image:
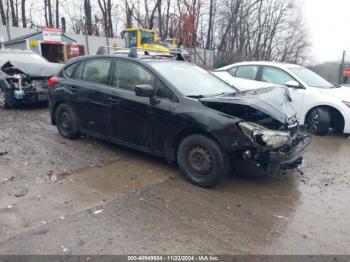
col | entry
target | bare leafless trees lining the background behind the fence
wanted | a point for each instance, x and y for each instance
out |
(238, 29)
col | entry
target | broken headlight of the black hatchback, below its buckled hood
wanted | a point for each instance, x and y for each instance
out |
(265, 137)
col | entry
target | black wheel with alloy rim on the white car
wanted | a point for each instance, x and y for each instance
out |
(318, 121)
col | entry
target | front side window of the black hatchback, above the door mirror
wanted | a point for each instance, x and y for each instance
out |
(127, 75)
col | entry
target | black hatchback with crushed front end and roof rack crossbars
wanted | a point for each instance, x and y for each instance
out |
(177, 111)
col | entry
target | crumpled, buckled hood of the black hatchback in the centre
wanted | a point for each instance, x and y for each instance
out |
(272, 101)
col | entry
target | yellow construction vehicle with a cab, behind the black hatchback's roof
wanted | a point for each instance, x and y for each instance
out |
(141, 38)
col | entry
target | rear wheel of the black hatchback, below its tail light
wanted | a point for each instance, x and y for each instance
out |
(66, 122)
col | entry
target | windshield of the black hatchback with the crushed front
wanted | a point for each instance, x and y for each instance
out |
(192, 80)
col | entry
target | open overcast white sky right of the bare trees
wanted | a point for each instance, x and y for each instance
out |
(329, 25)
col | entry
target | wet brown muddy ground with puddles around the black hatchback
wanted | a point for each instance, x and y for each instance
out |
(91, 197)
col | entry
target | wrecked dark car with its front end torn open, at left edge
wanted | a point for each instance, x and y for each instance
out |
(24, 77)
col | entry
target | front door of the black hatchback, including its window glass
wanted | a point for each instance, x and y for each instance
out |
(136, 120)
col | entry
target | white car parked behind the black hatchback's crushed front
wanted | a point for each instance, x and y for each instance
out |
(320, 105)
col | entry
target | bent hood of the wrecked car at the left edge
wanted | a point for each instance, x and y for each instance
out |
(32, 69)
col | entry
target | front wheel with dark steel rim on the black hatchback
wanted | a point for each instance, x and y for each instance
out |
(201, 161)
